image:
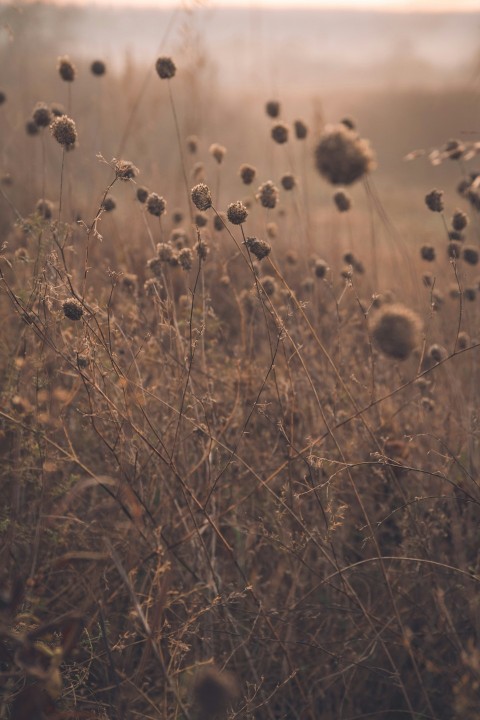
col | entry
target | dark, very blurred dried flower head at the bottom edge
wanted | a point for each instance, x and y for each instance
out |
(213, 692)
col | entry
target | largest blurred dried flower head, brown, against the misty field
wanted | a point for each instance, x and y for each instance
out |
(342, 157)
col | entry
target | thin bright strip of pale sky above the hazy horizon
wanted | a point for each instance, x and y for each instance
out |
(405, 5)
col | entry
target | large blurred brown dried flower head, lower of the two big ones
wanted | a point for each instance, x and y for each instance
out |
(396, 330)
